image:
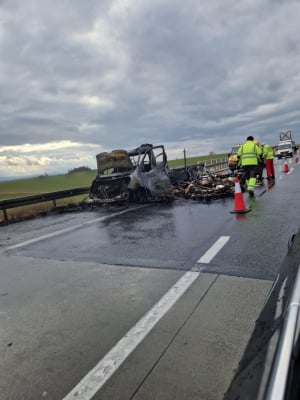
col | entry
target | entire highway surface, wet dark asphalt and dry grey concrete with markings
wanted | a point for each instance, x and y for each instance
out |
(147, 302)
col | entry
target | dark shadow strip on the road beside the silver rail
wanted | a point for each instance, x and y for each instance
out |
(251, 379)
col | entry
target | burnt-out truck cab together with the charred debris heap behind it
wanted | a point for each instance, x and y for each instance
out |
(142, 175)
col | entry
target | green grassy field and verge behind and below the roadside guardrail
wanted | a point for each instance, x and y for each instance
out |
(77, 178)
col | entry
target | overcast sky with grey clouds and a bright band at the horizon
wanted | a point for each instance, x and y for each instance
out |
(79, 77)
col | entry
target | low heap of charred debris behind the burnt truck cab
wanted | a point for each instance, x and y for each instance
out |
(205, 187)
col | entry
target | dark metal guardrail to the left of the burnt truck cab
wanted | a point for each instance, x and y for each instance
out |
(39, 198)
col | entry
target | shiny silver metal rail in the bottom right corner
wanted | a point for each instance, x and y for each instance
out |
(287, 348)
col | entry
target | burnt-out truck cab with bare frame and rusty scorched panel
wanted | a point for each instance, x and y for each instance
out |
(138, 175)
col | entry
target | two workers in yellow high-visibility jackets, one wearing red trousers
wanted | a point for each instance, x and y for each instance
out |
(253, 158)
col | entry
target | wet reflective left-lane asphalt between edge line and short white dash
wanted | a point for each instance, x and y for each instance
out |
(170, 236)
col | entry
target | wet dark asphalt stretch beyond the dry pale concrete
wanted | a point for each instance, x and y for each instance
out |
(175, 236)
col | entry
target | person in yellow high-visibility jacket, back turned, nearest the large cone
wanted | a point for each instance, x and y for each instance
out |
(249, 154)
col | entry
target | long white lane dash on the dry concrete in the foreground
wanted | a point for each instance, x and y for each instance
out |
(96, 378)
